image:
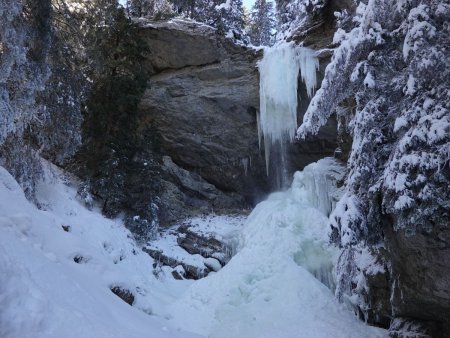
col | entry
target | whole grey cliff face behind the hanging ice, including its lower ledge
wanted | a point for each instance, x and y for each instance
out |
(202, 100)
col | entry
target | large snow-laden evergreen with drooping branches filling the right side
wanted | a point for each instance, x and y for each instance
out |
(388, 85)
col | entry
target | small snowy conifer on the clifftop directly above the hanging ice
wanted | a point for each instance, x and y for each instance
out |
(262, 23)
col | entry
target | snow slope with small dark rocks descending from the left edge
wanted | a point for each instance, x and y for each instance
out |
(44, 293)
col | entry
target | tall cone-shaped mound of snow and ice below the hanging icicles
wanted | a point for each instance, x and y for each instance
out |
(268, 289)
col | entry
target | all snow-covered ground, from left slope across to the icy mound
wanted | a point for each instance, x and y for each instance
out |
(266, 290)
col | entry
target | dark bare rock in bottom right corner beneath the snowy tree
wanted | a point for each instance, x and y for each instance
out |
(420, 280)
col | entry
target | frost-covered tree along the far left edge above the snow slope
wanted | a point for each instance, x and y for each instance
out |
(24, 43)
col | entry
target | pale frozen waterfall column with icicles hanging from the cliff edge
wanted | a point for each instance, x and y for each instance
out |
(279, 70)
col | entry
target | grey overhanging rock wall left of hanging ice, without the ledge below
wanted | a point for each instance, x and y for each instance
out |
(202, 100)
